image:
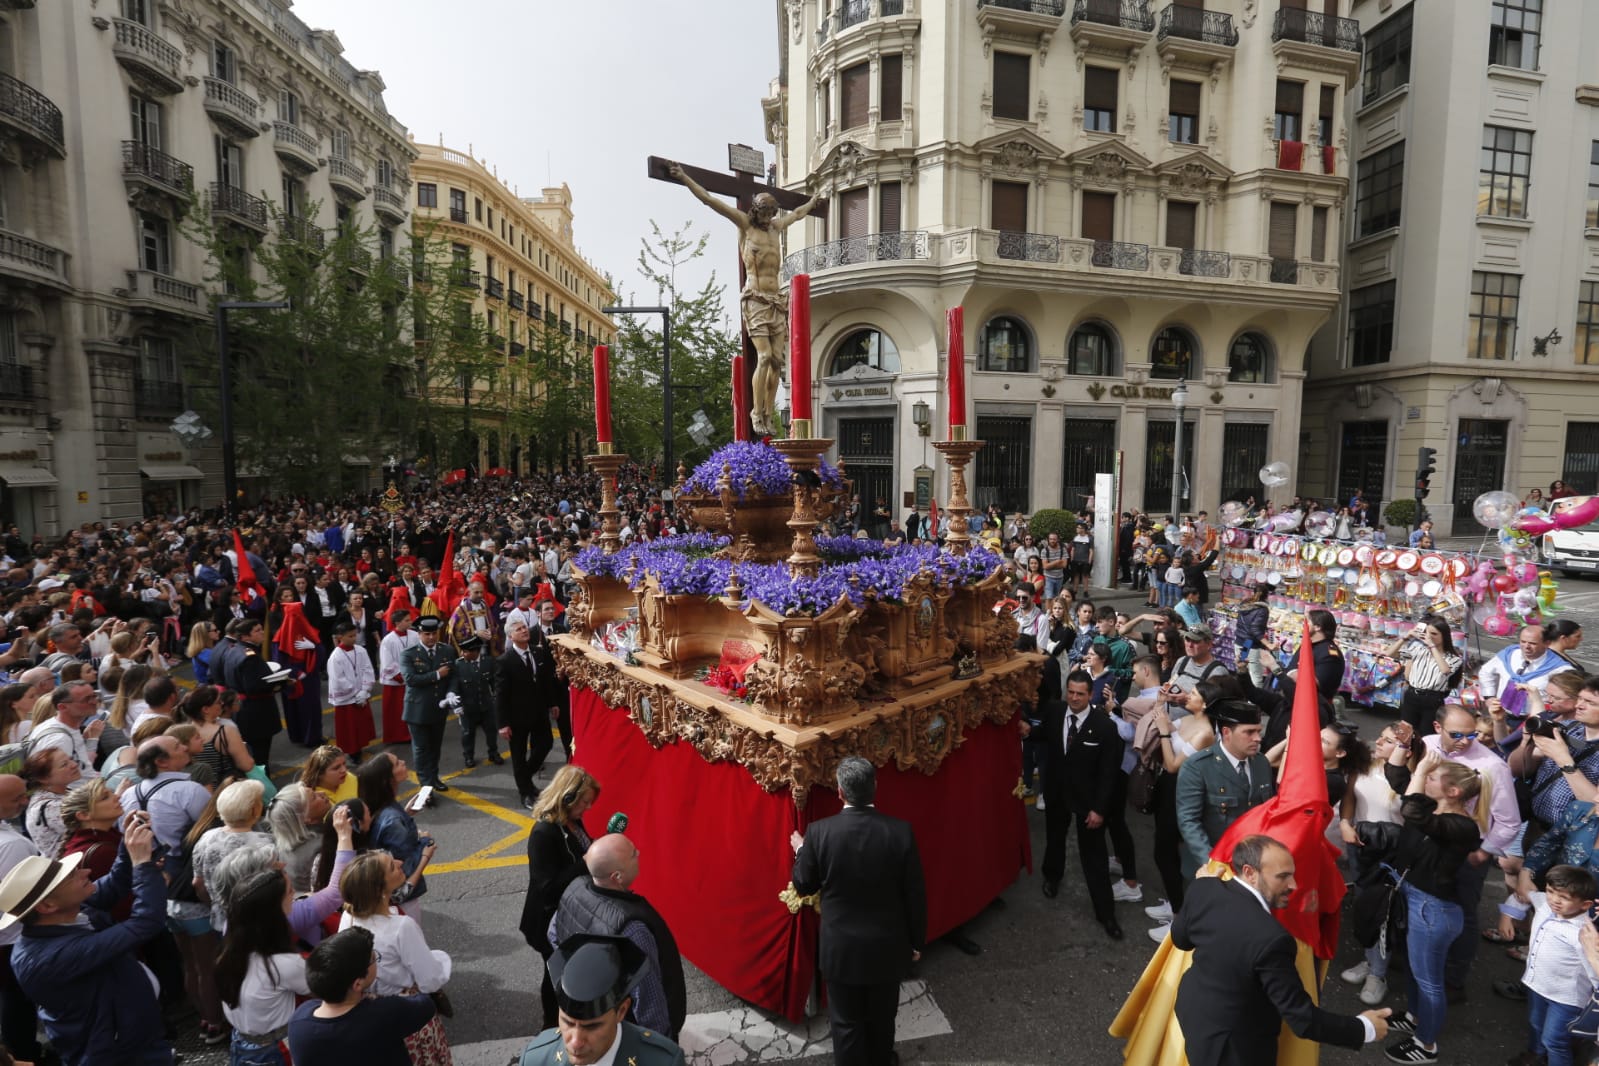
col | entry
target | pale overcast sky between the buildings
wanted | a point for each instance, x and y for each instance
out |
(580, 92)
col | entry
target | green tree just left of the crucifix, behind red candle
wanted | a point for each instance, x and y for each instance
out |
(703, 349)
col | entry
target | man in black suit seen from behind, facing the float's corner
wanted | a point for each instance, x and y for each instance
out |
(874, 915)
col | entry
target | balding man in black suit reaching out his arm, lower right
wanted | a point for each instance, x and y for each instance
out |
(1243, 985)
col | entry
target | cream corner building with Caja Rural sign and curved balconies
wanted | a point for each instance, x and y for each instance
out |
(1120, 196)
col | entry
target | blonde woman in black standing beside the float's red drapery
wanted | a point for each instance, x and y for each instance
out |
(556, 857)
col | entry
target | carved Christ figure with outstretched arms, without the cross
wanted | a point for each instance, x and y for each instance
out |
(762, 303)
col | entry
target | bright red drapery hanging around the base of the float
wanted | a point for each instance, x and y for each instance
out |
(716, 856)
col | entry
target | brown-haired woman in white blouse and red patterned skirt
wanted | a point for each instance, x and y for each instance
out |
(405, 965)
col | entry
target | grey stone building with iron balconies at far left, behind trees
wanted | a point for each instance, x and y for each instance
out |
(119, 122)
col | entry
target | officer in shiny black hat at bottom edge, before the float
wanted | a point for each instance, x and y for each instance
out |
(592, 977)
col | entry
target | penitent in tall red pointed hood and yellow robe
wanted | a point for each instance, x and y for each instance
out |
(1298, 817)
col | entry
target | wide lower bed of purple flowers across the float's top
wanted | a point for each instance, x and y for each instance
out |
(859, 570)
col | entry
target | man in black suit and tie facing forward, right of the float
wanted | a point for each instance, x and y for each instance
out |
(1082, 770)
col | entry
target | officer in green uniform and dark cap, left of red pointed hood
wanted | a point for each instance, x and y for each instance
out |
(1214, 787)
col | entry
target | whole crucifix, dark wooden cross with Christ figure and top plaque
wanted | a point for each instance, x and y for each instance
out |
(760, 212)
